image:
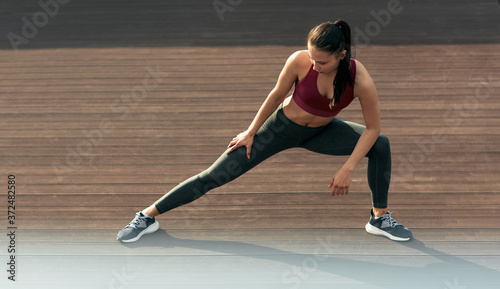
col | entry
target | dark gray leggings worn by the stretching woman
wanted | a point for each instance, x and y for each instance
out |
(279, 133)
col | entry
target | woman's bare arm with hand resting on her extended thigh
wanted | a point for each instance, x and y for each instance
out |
(286, 79)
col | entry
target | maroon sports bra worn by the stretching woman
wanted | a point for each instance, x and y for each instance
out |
(307, 96)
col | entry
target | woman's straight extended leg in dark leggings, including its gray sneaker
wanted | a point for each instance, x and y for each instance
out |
(275, 135)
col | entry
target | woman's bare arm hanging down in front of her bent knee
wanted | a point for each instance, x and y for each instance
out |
(366, 91)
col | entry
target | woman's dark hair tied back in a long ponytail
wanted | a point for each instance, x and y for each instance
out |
(335, 37)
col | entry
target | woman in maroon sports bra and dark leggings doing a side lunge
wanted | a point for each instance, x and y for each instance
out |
(307, 119)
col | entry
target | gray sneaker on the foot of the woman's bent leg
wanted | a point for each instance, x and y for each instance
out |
(388, 227)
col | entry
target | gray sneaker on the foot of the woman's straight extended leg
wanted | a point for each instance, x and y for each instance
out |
(140, 225)
